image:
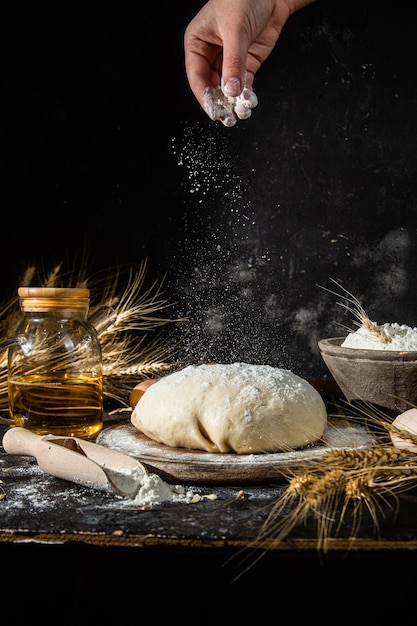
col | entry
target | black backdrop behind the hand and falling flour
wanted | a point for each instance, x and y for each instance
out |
(106, 156)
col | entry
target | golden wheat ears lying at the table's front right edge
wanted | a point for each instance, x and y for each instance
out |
(333, 493)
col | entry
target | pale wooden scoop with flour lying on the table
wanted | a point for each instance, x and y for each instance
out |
(78, 461)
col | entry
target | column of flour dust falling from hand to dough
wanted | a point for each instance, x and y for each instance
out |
(220, 273)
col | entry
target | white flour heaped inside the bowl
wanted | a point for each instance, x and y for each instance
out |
(398, 337)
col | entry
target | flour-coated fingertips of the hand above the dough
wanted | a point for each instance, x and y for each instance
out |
(226, 109)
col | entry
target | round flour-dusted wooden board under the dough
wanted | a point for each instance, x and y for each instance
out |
(182, 465)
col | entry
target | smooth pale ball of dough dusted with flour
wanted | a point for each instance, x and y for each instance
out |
(236, 407)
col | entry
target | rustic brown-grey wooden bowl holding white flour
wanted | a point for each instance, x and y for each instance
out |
(385, 378)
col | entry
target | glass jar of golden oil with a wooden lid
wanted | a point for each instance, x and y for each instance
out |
(55, 377)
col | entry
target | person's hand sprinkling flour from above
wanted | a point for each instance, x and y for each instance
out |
(225, 44)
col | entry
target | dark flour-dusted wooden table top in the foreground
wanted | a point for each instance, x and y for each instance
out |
(43, 508)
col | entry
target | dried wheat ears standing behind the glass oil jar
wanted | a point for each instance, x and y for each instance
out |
(131, 348)
